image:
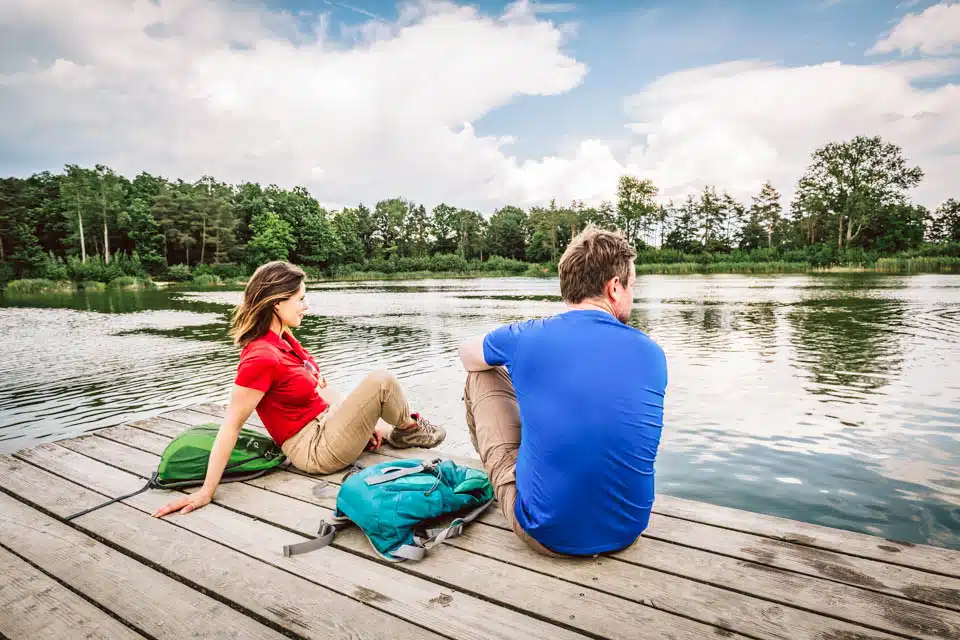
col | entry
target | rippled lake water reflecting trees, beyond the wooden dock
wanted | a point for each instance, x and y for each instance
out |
(833, 399)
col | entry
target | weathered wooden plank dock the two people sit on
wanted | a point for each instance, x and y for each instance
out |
(700, 571)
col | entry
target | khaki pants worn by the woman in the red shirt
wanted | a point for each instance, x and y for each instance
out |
(335, 439)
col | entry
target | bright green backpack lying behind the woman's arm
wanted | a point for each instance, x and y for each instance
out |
(184, 462)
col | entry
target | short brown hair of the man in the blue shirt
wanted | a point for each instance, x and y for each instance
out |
(592, 259)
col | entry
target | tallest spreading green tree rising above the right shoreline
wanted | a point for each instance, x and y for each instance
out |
(848, 183)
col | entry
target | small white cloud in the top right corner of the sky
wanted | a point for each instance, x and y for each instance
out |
(936, 31)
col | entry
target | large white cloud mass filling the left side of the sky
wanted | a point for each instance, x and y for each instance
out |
(186, 87)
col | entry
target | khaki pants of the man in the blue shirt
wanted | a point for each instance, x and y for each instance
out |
(493, 417)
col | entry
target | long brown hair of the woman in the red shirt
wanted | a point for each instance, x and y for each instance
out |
(270, 283)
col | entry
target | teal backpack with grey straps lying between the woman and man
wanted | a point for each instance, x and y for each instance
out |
(400, 504)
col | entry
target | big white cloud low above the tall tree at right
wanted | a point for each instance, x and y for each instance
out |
(738, 124)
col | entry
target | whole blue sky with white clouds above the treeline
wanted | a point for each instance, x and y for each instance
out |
(479, 104)
